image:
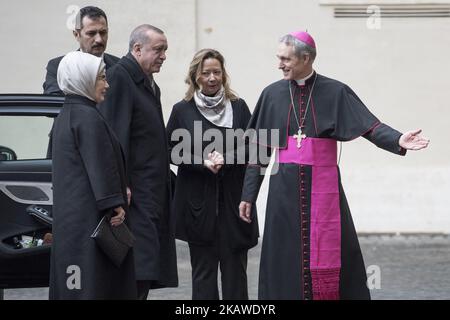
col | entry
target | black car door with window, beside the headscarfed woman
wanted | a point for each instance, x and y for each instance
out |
(25, 189)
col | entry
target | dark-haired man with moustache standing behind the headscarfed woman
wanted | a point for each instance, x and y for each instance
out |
(91, 32)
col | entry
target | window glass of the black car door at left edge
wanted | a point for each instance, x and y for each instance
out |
(24, 137)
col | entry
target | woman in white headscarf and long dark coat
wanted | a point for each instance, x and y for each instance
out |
(88, 183)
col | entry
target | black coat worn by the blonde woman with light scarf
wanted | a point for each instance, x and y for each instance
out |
(205, 202)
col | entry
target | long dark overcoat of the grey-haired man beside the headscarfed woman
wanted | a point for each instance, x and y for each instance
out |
(134, 112)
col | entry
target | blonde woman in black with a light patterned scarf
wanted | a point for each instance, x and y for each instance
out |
(208, 188)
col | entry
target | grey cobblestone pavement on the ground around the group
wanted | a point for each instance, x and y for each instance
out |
(409, 267)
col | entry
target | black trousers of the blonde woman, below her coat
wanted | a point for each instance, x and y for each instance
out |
(205, 262)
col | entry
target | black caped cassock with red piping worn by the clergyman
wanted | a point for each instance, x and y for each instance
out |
(335, 113)
